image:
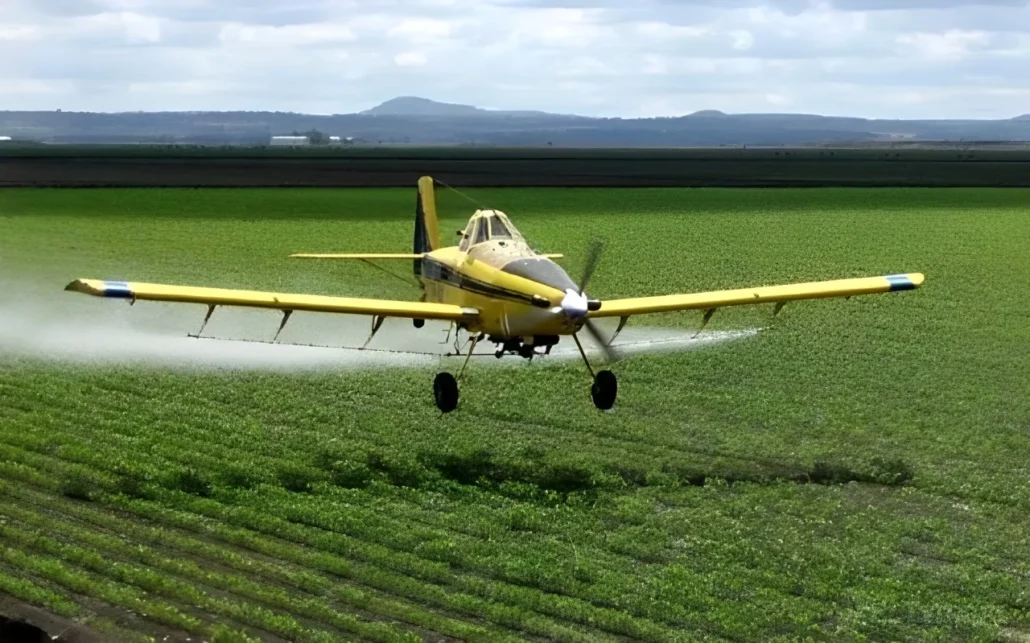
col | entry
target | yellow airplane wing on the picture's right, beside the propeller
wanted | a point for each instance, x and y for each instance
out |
(761, 295)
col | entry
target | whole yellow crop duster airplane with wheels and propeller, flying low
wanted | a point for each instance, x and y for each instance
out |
(495, 287)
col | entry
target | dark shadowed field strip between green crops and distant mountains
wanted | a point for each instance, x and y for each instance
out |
(350, 167)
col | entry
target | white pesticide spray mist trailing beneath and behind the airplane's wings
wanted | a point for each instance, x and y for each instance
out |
(71, 328)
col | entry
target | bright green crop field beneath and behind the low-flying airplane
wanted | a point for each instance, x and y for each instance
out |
(857, 470)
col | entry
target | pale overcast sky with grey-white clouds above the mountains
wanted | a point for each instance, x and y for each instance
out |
(630, 58)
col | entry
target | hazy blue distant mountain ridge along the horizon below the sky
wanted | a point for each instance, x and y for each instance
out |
(411, 120)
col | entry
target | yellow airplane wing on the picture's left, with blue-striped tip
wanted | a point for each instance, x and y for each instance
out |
(279, 301)
